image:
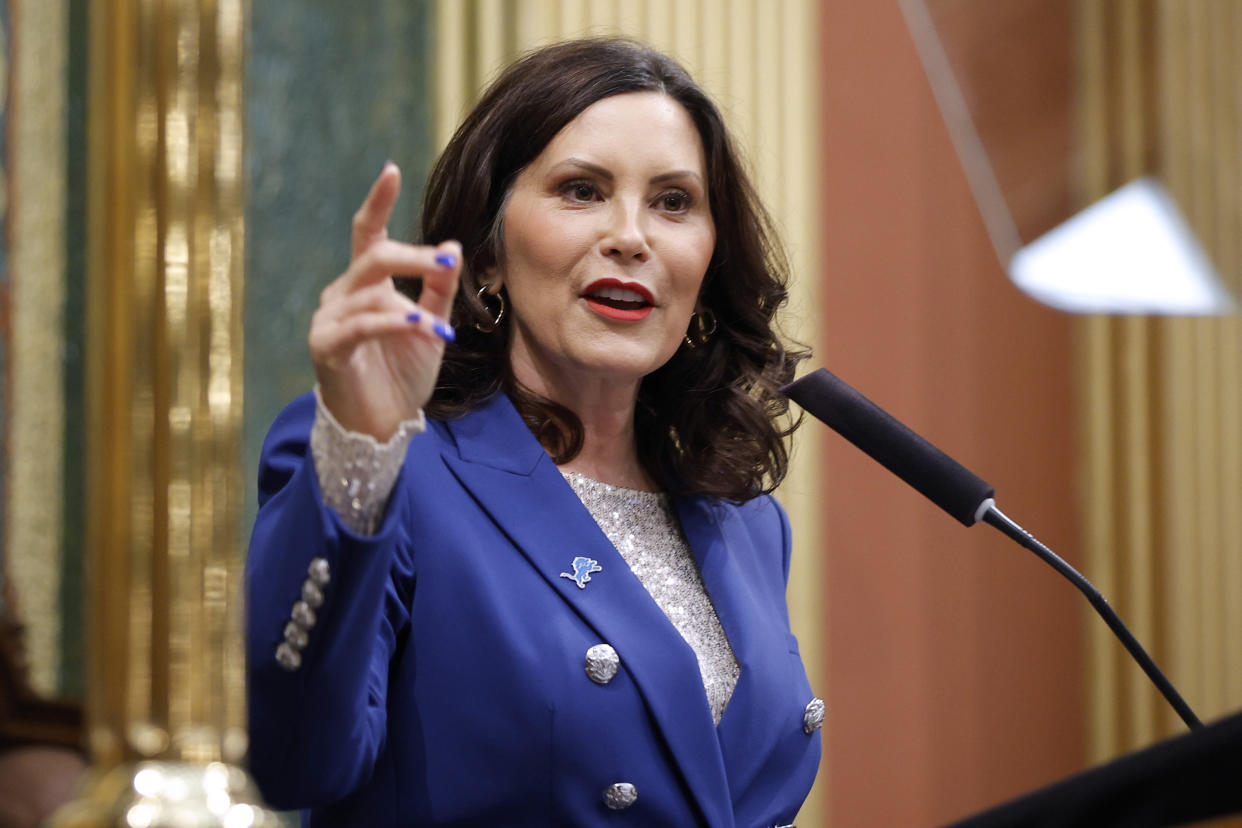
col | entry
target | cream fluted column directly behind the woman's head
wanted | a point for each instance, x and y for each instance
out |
(759, 63)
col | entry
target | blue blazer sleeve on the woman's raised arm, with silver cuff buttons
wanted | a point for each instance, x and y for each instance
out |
(317, 731)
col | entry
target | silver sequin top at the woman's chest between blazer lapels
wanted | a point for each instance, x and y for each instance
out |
(646, 532)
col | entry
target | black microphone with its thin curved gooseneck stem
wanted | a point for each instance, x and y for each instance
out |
(956, 490)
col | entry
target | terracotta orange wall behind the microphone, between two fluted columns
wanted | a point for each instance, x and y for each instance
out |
(956, 659)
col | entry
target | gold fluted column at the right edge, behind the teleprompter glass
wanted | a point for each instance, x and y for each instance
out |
(1162, 94)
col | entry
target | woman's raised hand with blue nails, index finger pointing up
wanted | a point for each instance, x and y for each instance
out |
(377, 353)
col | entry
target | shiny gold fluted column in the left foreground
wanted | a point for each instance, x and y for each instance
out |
(165, 696)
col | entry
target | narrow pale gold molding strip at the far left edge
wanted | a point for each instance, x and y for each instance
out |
(35, 397)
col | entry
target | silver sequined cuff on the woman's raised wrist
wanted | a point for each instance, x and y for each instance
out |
(356, 471)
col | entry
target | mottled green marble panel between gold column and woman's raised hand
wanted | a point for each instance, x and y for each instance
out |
(333, 90)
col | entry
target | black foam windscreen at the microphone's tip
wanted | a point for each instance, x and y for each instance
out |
(946, 482)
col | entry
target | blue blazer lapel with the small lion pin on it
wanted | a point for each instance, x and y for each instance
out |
(511, 476)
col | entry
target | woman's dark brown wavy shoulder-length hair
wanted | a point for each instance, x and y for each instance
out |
(711, 420)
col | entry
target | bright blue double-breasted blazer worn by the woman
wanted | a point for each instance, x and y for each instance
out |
(444, 682)
